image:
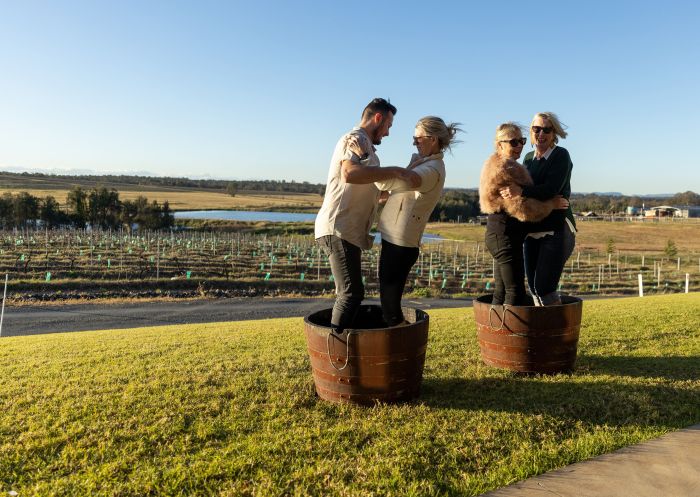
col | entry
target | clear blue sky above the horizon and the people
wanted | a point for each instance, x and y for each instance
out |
(263, 90)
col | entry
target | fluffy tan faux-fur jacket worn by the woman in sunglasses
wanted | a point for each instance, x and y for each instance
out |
(499, 173)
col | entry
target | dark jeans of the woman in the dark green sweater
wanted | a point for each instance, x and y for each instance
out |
(544, 262)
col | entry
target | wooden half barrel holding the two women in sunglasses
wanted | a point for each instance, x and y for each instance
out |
(529, 339)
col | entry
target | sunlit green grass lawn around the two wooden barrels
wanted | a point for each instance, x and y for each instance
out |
(230, 409)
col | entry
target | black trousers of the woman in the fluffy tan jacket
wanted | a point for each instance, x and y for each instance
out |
(509, 270)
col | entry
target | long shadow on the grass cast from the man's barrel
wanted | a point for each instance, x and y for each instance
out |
(601, 401)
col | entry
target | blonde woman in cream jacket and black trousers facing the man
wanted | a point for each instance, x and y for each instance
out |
(407, 210)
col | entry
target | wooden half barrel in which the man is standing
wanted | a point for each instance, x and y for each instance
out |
(369, 363)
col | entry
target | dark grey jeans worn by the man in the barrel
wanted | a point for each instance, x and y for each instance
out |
(346, 266)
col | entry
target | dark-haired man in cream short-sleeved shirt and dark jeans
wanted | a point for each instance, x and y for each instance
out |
(346, 216)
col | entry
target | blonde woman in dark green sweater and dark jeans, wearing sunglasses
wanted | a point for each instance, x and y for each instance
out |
(548, 243)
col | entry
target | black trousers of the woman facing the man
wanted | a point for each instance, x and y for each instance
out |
(395, 262)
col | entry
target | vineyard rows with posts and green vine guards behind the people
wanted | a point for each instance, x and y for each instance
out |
(57, 264)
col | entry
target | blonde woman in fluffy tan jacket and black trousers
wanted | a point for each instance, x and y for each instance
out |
(505, 228)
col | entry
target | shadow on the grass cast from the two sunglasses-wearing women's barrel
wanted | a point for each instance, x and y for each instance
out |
(670, 368)
